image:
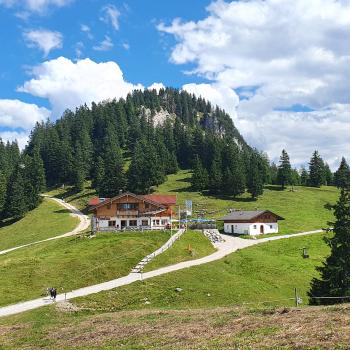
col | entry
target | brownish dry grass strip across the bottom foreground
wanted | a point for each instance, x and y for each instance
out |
(215, 329)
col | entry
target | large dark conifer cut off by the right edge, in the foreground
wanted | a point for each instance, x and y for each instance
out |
(335, 272)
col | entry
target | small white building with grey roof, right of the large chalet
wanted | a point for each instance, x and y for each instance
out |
(251, 222)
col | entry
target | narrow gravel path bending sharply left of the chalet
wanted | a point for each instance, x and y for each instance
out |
(84, 223)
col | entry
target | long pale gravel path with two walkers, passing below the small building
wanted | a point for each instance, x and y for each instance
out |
(230, 245)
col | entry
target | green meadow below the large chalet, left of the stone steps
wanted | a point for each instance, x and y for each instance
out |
(73, 262)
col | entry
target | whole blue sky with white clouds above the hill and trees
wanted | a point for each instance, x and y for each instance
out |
(281, 69)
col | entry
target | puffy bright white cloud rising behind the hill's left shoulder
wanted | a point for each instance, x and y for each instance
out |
(68, 84)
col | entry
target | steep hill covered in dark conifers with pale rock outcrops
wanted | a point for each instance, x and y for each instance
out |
(133, 144)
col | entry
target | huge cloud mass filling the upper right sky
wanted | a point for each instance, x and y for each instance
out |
(275, 55)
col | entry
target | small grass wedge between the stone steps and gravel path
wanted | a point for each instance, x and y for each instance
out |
(191, 245)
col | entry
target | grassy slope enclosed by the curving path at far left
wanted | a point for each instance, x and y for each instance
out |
(48, 220)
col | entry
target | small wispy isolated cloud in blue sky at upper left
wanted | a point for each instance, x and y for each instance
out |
(45, 40)
